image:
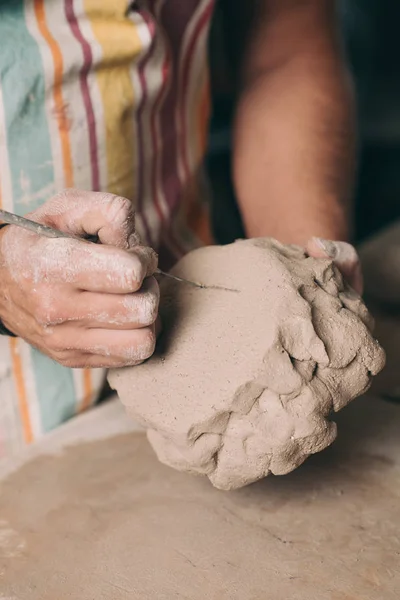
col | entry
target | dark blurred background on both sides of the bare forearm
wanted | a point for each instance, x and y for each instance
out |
(370, 29)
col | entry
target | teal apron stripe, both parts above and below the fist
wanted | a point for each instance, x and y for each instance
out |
(31, 166)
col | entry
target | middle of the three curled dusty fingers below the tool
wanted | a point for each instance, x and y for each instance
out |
(112, 311)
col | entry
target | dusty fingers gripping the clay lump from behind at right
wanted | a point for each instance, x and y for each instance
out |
(344, 256)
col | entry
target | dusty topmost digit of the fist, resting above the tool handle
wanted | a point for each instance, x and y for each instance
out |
(81, 213)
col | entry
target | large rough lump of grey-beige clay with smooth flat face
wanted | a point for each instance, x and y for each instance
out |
(244, 382)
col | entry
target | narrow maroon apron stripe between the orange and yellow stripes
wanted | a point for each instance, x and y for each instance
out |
(83, 80)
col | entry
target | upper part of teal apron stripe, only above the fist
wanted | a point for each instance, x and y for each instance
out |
(22, 83)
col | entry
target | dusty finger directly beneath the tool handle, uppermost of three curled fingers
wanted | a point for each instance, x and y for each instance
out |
(90, 267)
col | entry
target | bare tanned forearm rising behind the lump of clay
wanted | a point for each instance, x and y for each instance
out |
(294, 150)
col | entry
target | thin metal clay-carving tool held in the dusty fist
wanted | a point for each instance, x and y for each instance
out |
(46, 231)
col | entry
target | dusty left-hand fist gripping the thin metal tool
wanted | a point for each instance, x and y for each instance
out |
(81, 304)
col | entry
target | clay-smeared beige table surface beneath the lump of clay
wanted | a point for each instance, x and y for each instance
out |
(90, 514)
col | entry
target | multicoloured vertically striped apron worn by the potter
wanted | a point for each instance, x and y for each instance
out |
(103, 95)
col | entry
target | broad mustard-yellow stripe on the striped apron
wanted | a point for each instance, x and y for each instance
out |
(120, 44)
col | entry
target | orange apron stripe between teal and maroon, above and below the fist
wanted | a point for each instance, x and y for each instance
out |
(63, 130)
